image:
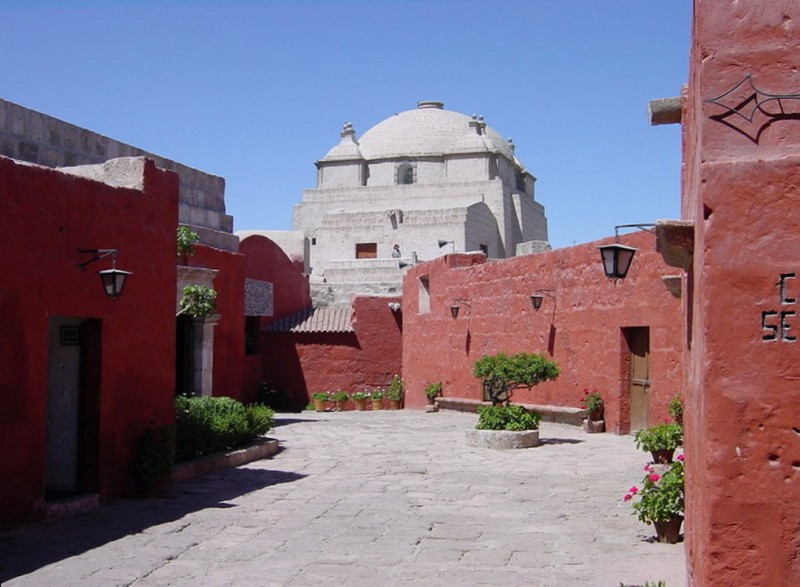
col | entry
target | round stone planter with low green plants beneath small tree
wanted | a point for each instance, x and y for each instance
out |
(508, 426)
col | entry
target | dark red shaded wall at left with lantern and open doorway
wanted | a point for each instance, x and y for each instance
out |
(46, 216)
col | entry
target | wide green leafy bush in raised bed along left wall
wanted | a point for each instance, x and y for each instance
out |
(205, 425)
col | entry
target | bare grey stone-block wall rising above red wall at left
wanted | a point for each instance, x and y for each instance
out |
(35, 137)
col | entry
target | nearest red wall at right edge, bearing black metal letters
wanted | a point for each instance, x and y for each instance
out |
(741, 181)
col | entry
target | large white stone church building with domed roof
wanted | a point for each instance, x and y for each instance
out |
(422, 183)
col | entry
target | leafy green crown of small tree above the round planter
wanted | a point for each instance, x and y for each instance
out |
(502, 374)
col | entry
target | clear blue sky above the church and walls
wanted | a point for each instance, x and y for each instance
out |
(256, 91)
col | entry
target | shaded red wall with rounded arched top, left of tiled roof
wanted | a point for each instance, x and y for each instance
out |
(266, 261)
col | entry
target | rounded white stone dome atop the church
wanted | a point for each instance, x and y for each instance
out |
(430, 130)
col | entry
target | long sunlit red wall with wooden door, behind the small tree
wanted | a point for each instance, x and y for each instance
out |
(581, 329)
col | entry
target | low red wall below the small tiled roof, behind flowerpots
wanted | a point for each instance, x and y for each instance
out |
(364, 359)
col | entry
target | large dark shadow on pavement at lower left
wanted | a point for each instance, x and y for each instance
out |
(25, 549)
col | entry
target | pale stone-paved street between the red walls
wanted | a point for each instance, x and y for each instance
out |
(370, 498)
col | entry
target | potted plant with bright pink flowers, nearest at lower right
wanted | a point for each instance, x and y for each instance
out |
(660, 501)
